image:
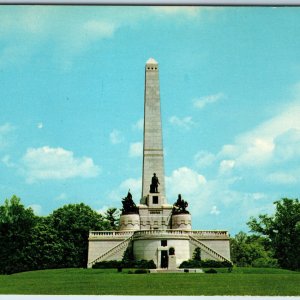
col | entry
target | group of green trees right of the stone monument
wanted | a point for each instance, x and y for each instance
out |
(274, 240)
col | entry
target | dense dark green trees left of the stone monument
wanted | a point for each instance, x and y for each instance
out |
(28, 242)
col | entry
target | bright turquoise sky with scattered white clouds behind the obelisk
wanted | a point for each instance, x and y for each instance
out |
(71, 95)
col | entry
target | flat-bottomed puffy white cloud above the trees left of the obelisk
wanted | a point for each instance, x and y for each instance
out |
(56, 163)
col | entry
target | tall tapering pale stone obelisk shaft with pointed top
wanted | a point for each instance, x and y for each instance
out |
(153, 155)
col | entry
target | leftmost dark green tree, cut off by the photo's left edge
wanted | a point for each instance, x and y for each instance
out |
(16, 225)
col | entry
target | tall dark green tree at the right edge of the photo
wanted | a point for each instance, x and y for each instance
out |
(283, 232)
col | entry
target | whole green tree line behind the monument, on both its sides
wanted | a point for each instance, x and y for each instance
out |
(60, 240)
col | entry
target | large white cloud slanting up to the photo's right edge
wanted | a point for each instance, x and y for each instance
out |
(276, 139)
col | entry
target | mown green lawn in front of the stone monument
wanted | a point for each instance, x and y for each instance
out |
(242, 281)
